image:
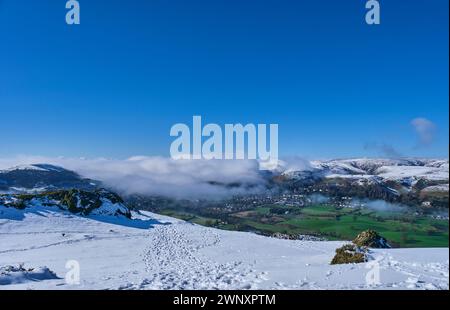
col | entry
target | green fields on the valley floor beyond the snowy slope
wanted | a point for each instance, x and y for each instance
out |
(400, 229)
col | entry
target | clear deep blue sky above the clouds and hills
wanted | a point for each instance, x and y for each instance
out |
(114, 85)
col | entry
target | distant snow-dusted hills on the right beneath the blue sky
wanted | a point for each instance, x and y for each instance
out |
(414, 182)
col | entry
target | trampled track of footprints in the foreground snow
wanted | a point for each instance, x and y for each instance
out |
(173, 261)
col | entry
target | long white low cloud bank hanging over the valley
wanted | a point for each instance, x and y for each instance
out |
(189, 179)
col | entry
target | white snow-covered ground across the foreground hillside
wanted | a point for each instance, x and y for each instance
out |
(157, 252)
